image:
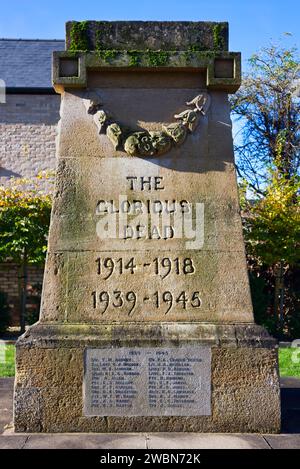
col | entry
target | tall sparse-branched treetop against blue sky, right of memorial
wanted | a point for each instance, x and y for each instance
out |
(267, 109)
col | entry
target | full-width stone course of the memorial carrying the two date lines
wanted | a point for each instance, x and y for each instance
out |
(217, 278)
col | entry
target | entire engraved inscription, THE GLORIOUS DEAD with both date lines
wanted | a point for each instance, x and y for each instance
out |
(139, 285)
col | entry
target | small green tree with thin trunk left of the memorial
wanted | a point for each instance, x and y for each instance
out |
(24, 223)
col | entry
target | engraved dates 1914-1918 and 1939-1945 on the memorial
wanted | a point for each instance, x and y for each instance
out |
(124, 287)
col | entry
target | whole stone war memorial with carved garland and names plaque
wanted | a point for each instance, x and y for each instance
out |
(146, 321)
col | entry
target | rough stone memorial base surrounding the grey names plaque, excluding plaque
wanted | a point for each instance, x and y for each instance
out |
(49, 394)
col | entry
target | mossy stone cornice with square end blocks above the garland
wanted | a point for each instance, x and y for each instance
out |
(223, 69)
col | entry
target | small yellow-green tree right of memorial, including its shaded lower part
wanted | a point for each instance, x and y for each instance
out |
(272, 235)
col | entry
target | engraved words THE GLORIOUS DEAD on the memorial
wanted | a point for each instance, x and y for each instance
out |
(144, 212)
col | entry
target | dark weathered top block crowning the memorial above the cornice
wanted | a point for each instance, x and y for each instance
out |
(144, 35)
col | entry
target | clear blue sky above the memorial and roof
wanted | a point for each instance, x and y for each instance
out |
(252, 23)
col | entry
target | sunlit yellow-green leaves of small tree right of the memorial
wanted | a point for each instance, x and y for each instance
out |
(272, 223)
